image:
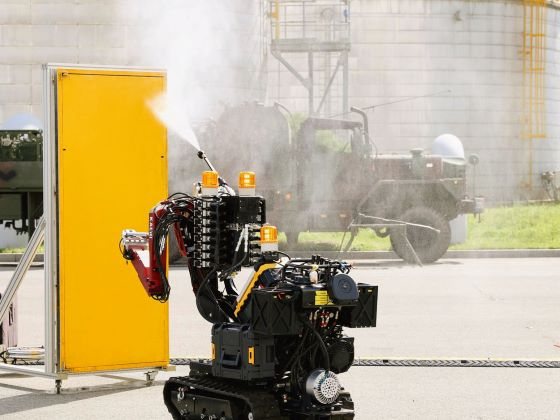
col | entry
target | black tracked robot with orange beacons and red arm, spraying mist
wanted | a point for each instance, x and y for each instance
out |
(277, 342)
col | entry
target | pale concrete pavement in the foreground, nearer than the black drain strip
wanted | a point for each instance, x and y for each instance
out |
(379, 393)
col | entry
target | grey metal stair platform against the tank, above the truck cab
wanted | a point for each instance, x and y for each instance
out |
(317, 33)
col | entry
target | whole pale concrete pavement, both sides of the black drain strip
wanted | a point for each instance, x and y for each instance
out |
(502, 308)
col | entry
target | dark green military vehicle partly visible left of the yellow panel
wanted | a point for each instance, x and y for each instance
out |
(21, 179)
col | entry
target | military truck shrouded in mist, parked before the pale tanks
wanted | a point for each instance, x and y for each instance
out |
(328, 173)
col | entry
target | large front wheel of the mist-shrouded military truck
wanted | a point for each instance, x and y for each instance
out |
(428, 245)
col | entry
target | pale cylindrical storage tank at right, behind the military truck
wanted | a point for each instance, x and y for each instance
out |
(459, 63)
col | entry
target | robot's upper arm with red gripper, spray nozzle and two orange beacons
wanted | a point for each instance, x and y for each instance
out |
(218, 232)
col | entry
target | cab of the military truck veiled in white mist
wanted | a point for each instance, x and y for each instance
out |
(332, 166)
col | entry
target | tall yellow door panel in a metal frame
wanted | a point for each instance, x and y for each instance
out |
(112, 168)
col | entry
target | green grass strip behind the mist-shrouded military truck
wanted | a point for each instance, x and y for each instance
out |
(535, 226)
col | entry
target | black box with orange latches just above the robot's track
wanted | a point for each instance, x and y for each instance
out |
(240, 353)
